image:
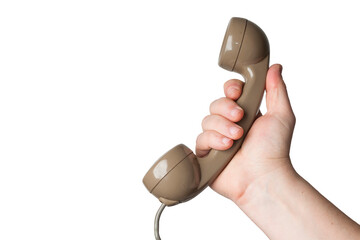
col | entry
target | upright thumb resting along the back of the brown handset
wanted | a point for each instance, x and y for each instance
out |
(277, 99)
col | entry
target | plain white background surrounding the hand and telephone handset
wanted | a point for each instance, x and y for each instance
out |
(93, 92)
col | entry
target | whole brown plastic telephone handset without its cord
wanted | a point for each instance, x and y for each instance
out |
(179, 175)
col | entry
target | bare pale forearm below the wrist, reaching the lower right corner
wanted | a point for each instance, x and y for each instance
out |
(285, 206)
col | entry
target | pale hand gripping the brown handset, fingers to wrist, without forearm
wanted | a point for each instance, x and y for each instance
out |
(266, 147)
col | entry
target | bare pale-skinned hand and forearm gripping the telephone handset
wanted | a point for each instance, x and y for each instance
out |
(260, 179)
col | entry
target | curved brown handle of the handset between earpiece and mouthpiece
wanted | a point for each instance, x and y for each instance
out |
(212, 164)
